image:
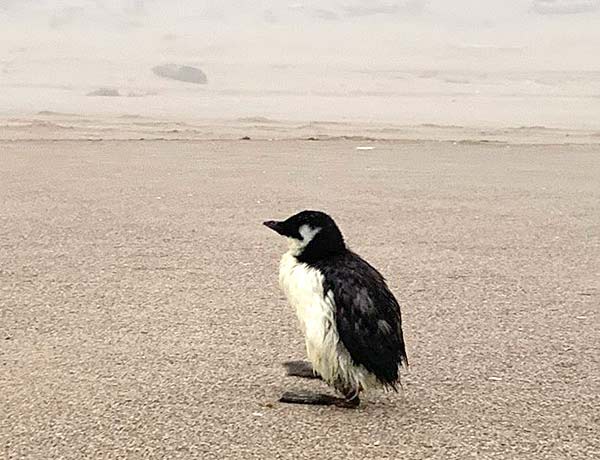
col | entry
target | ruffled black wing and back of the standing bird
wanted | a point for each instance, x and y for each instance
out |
(368, 316)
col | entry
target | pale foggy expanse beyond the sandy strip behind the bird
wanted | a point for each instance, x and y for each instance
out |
(513, 63)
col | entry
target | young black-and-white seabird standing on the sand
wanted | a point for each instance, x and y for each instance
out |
(351, 320)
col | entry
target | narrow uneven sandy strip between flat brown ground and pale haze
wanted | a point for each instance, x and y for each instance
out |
(55, 126)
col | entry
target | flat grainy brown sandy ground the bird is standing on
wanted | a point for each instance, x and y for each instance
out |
(141, 317)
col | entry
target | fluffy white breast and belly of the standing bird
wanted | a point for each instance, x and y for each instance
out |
(303, 287)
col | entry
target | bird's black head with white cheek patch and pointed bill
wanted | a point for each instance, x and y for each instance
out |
(313, 235)
